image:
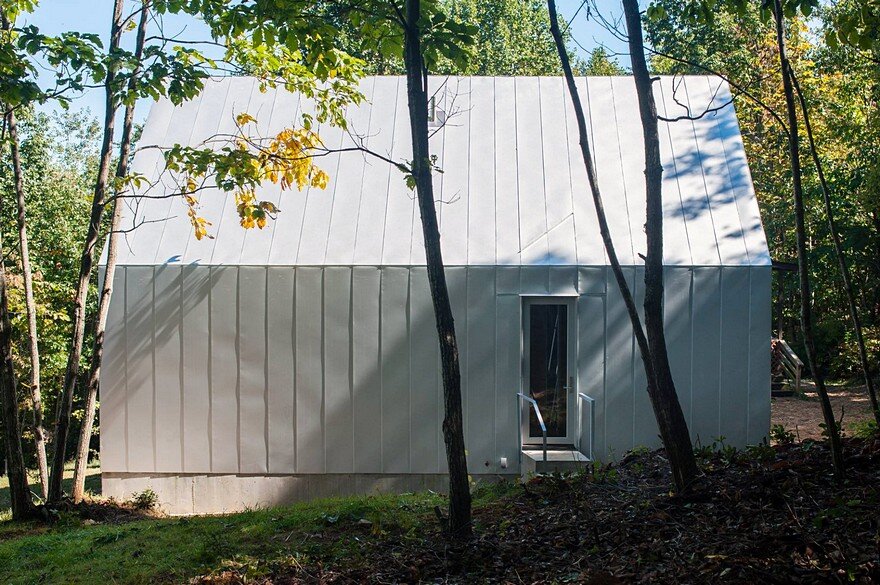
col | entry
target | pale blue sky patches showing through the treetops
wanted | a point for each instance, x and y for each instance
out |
(93, 16)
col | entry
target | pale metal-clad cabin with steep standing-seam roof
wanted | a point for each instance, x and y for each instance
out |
(265, 366)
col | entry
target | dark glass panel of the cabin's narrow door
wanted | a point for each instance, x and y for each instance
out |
(548, 367)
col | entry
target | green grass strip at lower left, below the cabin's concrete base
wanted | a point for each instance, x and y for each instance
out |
(172, 550)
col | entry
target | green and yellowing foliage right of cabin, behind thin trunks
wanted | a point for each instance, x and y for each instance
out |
(842, 87)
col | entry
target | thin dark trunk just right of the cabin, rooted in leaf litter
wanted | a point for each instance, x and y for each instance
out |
(801, 233)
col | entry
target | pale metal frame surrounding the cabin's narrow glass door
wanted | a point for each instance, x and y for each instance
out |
(570, 302)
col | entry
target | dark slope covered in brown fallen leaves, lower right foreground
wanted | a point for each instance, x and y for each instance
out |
(769, 515)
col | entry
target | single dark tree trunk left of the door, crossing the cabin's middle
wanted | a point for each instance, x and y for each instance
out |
(453, 432)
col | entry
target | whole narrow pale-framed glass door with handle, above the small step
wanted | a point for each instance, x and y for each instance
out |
(549, 368)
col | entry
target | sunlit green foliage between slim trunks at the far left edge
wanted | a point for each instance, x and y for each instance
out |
(59, 154)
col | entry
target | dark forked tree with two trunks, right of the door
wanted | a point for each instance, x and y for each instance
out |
(661, 390)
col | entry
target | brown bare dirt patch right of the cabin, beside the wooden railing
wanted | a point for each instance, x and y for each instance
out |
(802, 415)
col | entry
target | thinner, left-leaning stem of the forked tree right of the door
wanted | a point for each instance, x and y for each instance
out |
(684, 475)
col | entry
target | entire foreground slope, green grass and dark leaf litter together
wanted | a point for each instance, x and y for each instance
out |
(767, 515)
